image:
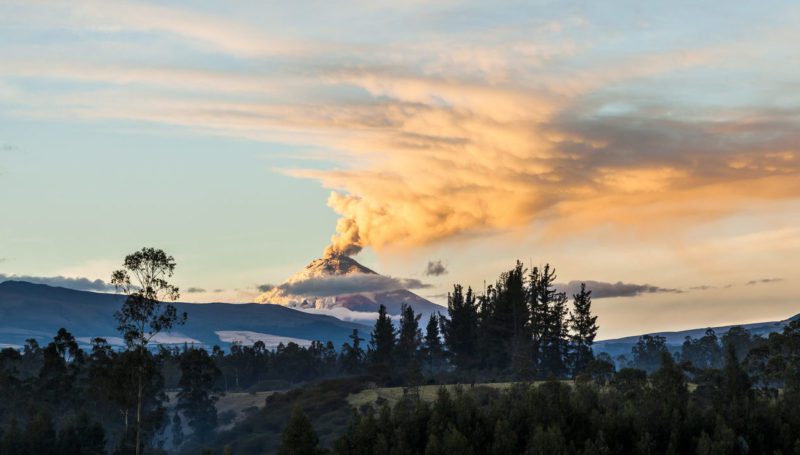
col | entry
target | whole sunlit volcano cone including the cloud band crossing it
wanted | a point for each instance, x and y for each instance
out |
(341, 282)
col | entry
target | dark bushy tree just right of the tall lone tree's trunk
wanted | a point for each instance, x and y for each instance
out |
(196, 398)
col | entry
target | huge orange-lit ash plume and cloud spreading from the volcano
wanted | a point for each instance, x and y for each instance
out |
(454, 133)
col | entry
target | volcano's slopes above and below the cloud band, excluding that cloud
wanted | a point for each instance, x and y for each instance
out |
(344, 268)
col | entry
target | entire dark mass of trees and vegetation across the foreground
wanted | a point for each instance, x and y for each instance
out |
(731, 395)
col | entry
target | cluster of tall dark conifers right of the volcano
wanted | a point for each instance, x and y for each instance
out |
(521, 327)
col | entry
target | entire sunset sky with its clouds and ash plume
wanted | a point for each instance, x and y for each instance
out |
(627, 141)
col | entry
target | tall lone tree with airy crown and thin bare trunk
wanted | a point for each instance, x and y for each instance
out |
(146, 311)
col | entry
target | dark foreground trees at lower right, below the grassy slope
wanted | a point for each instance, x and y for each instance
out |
(731, 407)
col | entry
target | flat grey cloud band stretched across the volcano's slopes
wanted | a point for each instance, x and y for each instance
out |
(349, 284)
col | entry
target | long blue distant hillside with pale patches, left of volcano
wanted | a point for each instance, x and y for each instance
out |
(38, 311)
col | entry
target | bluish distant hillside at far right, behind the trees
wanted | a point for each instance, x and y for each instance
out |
(623, 346)
